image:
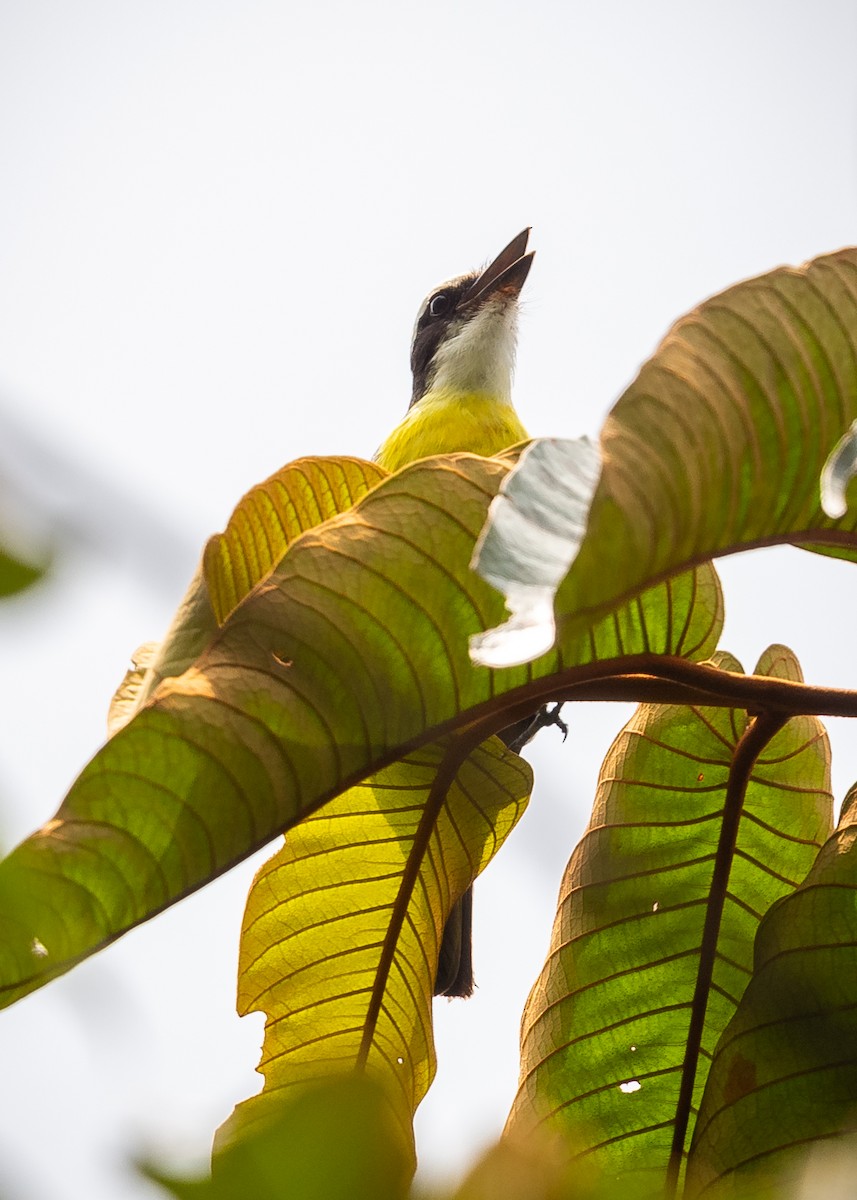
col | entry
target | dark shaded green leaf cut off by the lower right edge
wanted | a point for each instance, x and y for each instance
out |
(786, 1070)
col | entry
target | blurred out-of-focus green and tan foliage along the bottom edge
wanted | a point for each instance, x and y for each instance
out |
(337, 1142)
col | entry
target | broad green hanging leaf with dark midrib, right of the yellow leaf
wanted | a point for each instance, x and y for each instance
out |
(606, 1029)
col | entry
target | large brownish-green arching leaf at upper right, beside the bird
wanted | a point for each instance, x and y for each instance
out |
(720, 443)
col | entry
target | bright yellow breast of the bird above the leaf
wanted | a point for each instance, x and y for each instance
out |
(444, 423)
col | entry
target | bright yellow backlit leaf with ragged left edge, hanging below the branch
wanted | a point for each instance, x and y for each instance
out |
(343, 926)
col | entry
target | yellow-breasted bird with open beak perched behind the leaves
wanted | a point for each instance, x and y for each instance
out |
(463, 359)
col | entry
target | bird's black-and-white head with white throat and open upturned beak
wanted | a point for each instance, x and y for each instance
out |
(465, 334)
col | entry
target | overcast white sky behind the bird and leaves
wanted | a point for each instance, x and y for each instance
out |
(217, 223)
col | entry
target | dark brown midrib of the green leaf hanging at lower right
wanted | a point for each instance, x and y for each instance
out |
(757, 736)
